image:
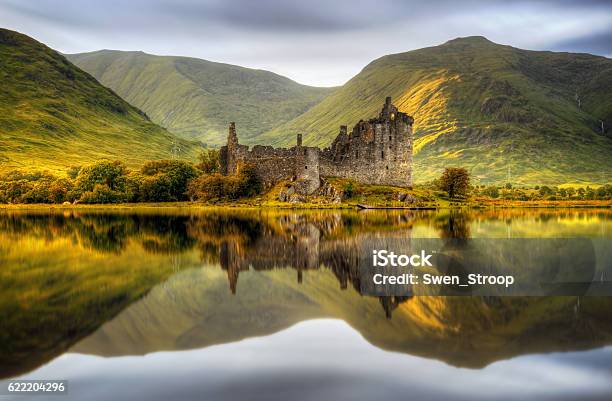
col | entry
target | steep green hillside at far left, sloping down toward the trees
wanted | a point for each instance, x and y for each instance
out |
(53, 115)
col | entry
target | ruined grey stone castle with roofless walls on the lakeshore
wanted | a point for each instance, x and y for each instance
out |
(376, 151)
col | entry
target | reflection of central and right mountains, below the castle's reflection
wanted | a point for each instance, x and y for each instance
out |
(194, 310)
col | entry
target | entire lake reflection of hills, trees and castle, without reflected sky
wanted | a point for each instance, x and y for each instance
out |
(65, 274)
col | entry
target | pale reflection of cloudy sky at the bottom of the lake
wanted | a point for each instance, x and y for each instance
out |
(326, 359)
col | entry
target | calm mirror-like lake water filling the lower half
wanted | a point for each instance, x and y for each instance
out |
(172, 304)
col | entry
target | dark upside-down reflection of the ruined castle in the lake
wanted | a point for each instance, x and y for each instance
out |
(302, 243)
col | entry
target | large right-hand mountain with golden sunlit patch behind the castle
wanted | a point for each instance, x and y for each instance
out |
(505, 113)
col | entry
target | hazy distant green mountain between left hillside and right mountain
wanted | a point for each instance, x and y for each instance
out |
(198, 98)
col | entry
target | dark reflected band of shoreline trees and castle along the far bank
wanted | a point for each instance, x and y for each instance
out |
(243, 240)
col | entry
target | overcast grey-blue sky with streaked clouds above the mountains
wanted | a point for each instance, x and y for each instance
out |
(315, 42)
